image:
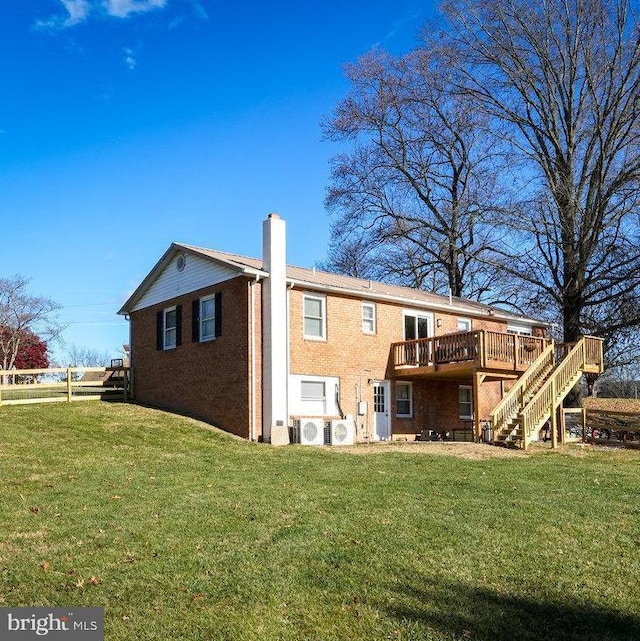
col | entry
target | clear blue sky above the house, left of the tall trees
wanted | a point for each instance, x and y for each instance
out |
(128, 124)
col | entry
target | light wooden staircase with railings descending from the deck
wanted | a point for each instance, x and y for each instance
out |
(539, 392)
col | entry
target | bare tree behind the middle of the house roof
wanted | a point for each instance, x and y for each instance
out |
(411, 196)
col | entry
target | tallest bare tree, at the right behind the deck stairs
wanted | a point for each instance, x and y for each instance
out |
(560, 82)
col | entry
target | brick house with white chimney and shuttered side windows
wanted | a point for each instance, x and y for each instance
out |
(265, 350)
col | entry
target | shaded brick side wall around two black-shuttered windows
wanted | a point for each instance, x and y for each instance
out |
(208, 380)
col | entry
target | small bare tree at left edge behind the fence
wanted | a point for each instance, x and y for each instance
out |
(23, 315)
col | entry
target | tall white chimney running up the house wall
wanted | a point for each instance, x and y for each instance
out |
(275, 374)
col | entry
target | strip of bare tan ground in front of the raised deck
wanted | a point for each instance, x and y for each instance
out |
(472, 451)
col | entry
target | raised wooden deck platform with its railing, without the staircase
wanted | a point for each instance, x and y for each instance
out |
(497, 354)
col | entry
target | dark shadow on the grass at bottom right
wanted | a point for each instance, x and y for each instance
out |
(463, 611)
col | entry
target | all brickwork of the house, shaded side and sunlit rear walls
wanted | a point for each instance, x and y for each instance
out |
(213, 380)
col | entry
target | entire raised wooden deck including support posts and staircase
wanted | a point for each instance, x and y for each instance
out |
(546, 373)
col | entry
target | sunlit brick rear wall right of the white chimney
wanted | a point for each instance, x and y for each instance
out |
(359, 358)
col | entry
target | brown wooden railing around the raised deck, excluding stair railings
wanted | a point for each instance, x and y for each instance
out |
(481, 348)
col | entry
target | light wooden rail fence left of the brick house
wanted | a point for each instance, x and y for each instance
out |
(59, 384)
